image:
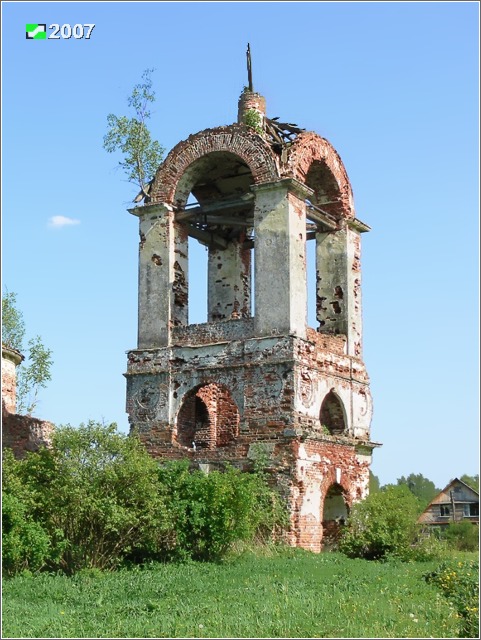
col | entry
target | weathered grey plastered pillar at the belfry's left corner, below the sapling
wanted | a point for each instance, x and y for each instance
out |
(163, 275)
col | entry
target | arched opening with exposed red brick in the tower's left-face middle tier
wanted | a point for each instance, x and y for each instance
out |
(208, 418)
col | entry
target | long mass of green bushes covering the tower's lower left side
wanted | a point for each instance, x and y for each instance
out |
(97, 499)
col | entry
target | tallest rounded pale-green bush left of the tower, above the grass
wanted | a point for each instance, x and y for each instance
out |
(98, 497)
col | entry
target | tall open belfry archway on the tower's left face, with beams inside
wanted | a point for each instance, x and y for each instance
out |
(215, 206)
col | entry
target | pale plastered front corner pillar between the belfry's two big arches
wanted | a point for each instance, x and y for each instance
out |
(280, 258)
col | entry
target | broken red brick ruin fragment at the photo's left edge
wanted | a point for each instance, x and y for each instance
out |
(19, 433)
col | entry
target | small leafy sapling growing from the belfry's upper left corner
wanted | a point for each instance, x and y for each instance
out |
(131, 136)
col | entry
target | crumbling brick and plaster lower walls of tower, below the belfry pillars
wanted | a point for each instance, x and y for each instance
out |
(268, 391)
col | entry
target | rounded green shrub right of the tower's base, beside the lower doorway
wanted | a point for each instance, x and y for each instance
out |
(384, 524)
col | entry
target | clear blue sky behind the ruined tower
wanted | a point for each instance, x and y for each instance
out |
(393, 86)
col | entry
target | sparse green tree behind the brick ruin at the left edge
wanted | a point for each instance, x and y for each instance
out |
(33, 374)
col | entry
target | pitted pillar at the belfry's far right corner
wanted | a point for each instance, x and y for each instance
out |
(338, 286)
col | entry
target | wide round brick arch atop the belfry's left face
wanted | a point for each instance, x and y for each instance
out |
(236, 139)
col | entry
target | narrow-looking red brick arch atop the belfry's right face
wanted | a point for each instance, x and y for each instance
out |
(314, 162)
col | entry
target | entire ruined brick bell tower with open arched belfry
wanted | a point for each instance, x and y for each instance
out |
(254, 193)
